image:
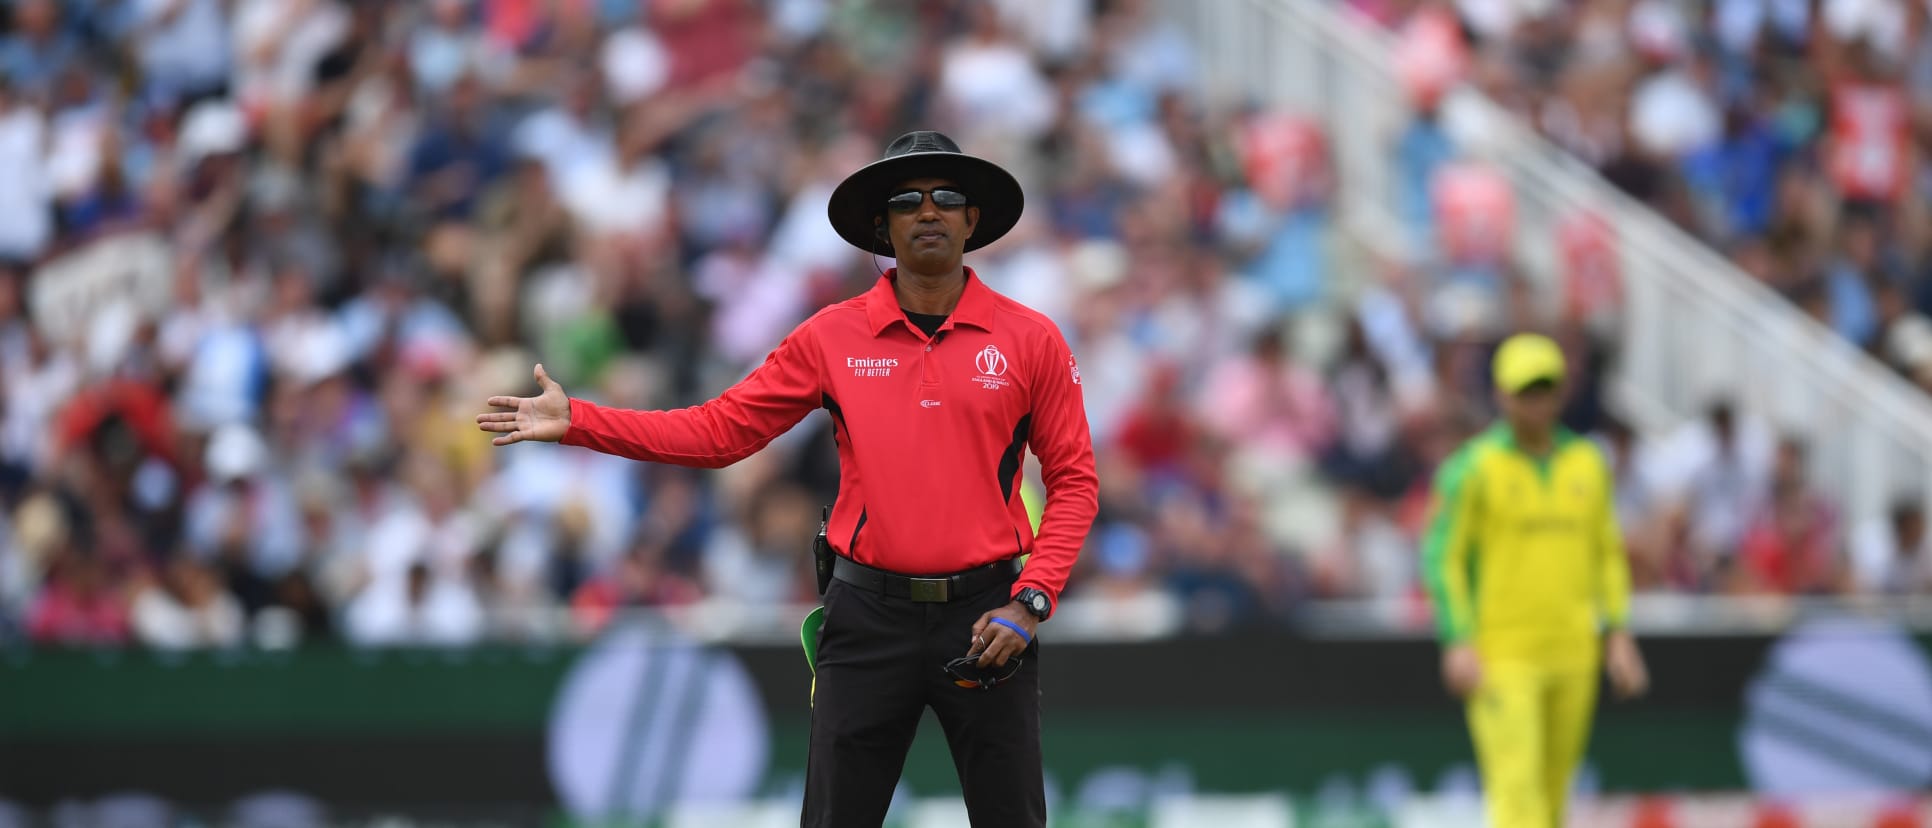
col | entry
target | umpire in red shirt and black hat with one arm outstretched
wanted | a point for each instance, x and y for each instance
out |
(936, 387)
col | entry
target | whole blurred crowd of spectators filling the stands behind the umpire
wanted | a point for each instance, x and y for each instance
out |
(266, 260)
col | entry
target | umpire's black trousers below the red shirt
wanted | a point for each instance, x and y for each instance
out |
(882, 665)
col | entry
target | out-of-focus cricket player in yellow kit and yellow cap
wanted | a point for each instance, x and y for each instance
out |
(1531, 588)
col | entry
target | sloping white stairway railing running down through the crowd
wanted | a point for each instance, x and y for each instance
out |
(1695, 325)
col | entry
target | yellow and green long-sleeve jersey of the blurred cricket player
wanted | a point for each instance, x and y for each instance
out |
(1523, 555)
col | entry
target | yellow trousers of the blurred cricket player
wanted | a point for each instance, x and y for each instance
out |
(1531, 723)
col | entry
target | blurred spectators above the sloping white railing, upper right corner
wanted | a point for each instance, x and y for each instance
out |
(1790, 134)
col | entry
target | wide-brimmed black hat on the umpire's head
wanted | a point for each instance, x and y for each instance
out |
(861, 198)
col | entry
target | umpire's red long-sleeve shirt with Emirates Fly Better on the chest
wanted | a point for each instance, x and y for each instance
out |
(930, 431)
